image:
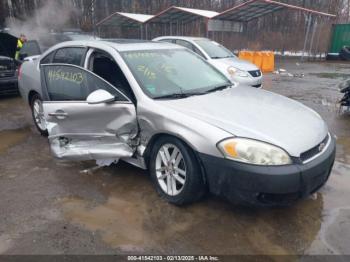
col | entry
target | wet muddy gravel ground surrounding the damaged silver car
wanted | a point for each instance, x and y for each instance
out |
(52, 207)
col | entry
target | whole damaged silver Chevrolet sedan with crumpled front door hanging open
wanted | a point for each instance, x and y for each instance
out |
(163, 108)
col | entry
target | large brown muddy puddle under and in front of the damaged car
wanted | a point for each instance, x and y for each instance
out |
(133, 218)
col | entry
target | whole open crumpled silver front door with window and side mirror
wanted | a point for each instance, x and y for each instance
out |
(87, 118)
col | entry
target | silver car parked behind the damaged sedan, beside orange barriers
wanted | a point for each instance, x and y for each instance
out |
(237, 70)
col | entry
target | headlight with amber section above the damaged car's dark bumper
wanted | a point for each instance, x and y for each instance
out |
(253, 152)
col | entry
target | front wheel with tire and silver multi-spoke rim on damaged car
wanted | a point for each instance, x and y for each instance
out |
(175, 172)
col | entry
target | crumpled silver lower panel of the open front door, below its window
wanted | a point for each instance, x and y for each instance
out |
(91, 132)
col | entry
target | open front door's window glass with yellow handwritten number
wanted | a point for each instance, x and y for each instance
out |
(70, 83)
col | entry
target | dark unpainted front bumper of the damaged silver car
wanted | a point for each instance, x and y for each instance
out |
(267, 185)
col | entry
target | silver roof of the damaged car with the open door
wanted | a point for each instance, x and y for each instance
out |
(121, 44)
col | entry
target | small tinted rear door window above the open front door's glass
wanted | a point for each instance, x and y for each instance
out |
(69, 55)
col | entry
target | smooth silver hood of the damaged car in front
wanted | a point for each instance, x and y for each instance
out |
(257, 114)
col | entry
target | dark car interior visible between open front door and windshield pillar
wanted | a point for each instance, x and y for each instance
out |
(104, 66)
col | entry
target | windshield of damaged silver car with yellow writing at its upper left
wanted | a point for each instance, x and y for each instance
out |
(173, 73)
